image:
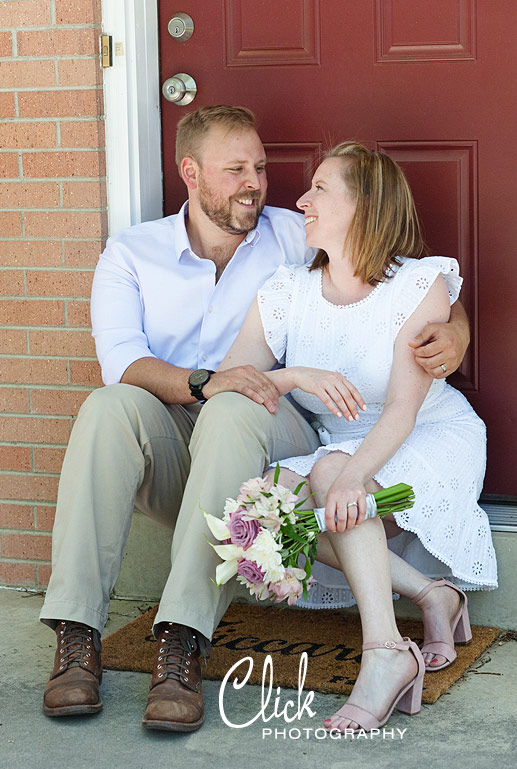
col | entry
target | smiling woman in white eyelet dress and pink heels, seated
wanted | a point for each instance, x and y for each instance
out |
(352, 316)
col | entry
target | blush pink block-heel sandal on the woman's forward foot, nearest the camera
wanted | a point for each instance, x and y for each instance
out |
(408, 700)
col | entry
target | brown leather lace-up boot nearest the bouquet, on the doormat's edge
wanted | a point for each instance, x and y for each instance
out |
(176, 699)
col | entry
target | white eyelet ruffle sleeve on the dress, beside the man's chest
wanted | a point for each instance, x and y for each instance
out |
(274, 302)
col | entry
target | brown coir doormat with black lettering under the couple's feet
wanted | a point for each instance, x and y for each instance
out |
(331, 639)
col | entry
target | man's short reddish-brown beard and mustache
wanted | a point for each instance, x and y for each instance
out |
(221, 212)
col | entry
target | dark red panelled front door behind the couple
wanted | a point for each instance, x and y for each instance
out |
(433, 84)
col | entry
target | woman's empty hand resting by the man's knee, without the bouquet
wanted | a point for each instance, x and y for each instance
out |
(337, 393)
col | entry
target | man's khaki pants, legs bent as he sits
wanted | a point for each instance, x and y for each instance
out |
(128, 449)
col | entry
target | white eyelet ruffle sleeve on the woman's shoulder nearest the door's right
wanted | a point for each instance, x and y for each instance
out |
(415, 277)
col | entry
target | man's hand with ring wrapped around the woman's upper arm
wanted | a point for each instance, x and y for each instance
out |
(440, 346)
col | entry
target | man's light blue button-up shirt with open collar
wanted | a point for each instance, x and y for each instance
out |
(153, 297)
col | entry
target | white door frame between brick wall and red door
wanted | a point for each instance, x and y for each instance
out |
(132, 113)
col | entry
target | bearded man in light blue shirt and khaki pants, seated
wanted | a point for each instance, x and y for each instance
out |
(168, 300)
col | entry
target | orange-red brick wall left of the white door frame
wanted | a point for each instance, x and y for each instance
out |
(52, 224)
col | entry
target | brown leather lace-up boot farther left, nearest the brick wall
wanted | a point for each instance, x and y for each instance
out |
(73, 687)
